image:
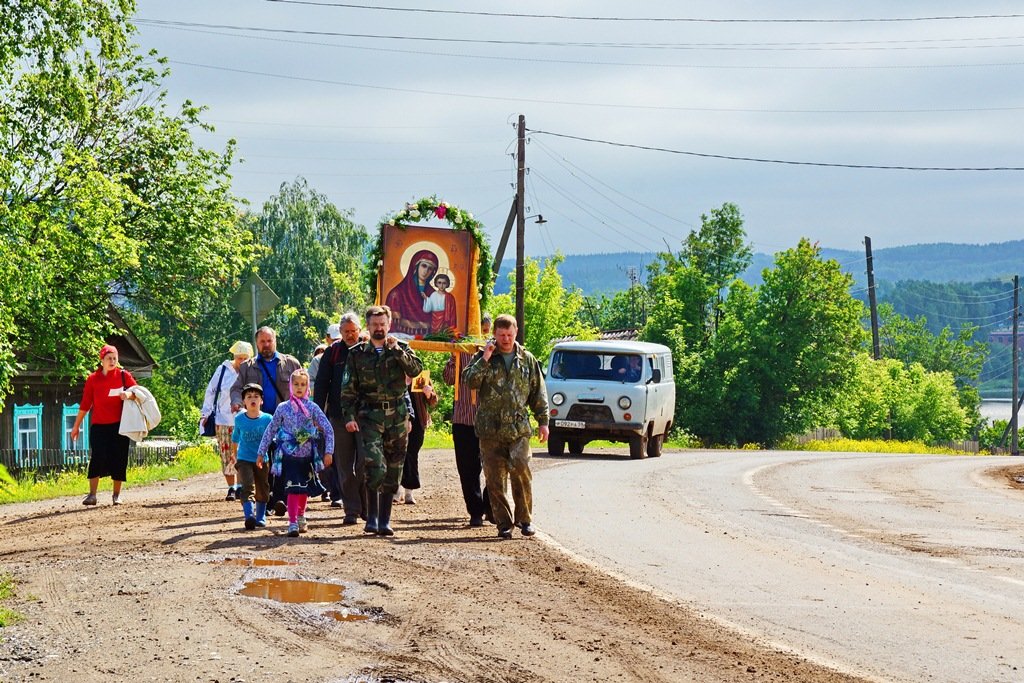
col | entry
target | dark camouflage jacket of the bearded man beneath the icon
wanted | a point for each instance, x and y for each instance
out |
(373, 380)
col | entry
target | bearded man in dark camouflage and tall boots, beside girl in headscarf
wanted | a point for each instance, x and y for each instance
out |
(374, 408)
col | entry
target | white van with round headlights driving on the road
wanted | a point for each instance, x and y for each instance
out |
(611, 391)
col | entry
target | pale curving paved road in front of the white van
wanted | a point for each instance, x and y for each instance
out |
(898, 568)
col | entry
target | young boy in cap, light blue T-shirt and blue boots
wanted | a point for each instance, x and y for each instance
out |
(253, 473)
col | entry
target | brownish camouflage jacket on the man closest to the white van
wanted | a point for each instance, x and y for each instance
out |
(507, 397)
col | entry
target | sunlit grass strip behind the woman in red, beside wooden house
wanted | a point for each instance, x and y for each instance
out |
(190, 462)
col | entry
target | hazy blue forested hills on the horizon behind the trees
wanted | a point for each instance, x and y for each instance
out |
(950, 285)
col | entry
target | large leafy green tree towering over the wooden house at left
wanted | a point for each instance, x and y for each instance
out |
(106, 196)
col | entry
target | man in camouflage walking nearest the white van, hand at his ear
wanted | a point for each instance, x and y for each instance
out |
(510, 388)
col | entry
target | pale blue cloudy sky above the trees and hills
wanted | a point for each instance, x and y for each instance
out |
(383, 103)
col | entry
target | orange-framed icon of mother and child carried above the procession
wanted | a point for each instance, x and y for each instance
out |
(428, 280)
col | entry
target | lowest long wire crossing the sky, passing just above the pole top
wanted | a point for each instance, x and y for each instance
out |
(618, 106)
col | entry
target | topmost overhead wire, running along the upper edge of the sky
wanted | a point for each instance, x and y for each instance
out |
(689, 20)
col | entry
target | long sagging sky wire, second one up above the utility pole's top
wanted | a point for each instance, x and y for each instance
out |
(594, 63)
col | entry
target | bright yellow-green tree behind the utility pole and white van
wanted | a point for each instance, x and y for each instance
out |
(550, 311)
